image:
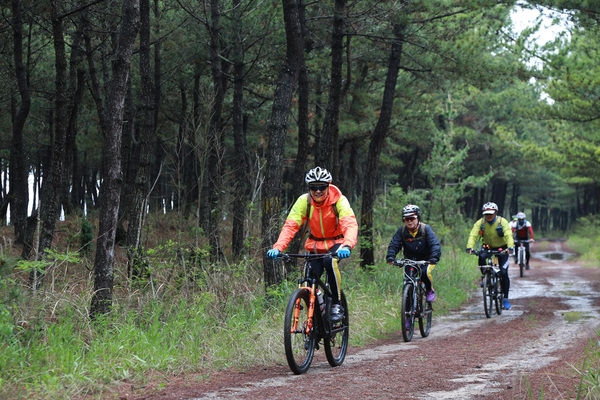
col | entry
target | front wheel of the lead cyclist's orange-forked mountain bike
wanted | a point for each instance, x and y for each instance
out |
(299, 346)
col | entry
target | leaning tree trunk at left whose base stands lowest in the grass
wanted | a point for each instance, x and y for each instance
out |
(111, 187)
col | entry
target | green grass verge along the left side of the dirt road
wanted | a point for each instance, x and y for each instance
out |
(53, 350)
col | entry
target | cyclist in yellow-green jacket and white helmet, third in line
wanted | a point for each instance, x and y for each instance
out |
(496, 234)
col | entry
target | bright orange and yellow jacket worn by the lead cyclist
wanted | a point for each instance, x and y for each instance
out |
(326, 228)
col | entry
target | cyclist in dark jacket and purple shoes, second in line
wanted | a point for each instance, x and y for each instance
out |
(419, 243)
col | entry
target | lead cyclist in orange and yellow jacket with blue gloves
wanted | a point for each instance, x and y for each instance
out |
(332, 228)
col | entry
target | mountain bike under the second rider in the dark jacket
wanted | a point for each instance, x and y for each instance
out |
(414, 303)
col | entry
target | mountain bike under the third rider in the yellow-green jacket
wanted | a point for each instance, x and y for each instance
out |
(491, 282)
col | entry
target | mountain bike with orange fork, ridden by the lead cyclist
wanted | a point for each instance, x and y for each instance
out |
(306, 324)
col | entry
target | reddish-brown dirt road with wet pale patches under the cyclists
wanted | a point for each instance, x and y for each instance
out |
(529, 351)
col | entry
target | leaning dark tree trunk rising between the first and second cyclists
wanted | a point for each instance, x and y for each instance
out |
(377, 139)
